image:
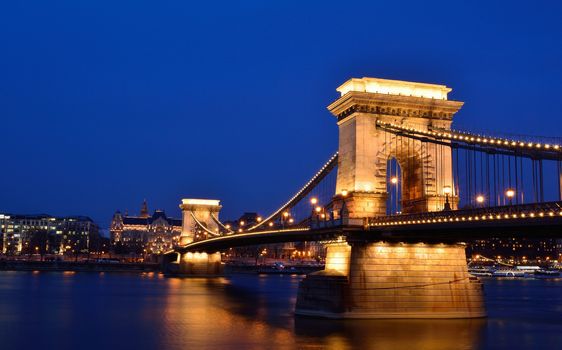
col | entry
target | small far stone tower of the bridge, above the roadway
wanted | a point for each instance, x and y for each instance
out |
(201, 210)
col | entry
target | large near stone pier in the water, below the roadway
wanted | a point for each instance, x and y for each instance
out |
(392, 280)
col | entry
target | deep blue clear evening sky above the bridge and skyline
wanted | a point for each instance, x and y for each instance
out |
(105, 103)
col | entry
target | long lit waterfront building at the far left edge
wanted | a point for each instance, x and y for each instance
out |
(47, 234)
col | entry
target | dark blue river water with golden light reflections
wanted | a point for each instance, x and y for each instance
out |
(149, 311)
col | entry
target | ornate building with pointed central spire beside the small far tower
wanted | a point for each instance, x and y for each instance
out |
(144, 233)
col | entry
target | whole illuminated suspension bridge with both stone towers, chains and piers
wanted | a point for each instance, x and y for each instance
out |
(394, 205)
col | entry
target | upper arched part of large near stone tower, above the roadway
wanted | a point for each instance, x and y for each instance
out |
(364, 150)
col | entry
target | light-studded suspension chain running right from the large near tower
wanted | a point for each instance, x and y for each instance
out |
(456, 135)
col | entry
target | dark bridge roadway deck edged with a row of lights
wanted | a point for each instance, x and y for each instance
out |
(539, 220)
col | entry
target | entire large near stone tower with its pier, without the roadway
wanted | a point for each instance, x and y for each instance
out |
(390, 278)
